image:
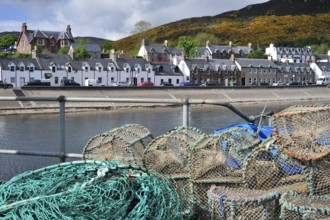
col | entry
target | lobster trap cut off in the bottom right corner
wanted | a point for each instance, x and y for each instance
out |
(296, 206)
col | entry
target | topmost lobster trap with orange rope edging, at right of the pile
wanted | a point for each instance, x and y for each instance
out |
(304, 131)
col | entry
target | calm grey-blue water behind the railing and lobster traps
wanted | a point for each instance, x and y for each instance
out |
(42, 133)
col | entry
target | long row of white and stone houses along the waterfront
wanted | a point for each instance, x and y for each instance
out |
(55, 67)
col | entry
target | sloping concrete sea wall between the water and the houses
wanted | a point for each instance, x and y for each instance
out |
(311, 95)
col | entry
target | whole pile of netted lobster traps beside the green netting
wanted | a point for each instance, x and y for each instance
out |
(234, 173)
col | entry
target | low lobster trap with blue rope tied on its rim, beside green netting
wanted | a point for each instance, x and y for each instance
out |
(240, 203)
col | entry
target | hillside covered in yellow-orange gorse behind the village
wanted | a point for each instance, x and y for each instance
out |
(291, 22)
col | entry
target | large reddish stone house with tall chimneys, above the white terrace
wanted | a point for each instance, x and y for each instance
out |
(48, 41)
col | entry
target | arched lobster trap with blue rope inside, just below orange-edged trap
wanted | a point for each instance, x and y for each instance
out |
(266, 168)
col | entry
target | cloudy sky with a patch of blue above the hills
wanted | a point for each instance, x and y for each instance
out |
(110, 19)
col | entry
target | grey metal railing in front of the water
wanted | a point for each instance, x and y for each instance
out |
(185, 103)
